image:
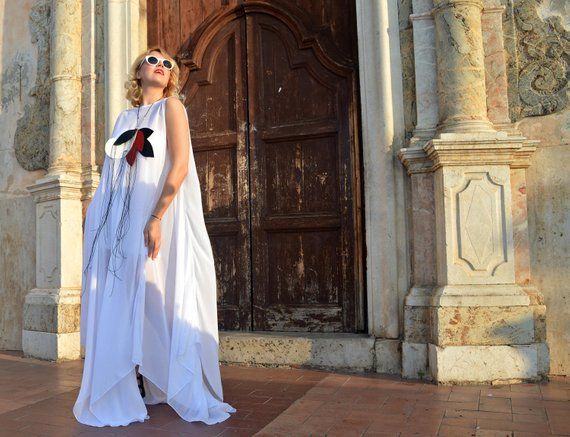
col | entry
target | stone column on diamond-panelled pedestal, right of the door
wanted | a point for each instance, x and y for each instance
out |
(481, 323)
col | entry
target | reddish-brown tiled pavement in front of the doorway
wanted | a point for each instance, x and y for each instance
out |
(37, 398)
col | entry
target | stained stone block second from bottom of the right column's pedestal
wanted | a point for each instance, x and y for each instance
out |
(482, 326)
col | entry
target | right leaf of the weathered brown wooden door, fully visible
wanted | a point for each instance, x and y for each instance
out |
(297, 144)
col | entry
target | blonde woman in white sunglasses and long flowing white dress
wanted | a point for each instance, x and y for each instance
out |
(148, 303)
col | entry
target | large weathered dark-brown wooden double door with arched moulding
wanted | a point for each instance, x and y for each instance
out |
(270, 89)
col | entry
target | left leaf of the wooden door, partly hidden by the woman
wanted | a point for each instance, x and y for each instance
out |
(216, 101)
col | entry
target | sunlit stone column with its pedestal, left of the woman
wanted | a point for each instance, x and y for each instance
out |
(51, 310)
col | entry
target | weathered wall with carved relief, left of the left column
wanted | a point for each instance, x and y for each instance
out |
(24, 117)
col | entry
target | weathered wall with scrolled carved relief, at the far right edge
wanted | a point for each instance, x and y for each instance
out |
(538, 81)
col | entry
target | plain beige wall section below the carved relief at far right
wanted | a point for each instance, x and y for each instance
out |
(549, 227)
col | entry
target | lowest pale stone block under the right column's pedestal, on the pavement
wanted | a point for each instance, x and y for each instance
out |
(488, 364)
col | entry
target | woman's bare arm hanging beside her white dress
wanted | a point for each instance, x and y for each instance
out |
(179, 151)
